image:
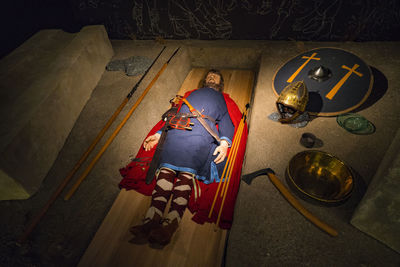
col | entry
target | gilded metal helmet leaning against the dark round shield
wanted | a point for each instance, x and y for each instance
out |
(292, 101)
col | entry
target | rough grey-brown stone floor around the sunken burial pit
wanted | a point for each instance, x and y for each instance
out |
(267, 231)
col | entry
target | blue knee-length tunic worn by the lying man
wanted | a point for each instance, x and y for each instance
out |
(192, 151)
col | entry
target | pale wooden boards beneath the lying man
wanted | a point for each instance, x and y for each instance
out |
(192, 244)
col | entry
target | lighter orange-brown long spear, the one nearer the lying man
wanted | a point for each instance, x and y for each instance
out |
(115, 133)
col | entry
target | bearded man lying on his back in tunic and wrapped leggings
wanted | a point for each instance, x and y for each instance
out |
(187, 158)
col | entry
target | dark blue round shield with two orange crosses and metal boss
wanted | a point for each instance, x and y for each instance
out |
(337, 80)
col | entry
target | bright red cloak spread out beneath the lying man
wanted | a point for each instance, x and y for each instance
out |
(134, 175)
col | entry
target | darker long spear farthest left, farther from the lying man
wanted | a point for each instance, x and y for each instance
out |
(64, 183)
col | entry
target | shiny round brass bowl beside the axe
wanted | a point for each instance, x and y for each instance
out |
(321, 176)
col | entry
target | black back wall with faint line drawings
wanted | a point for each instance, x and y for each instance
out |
(305, 20)
